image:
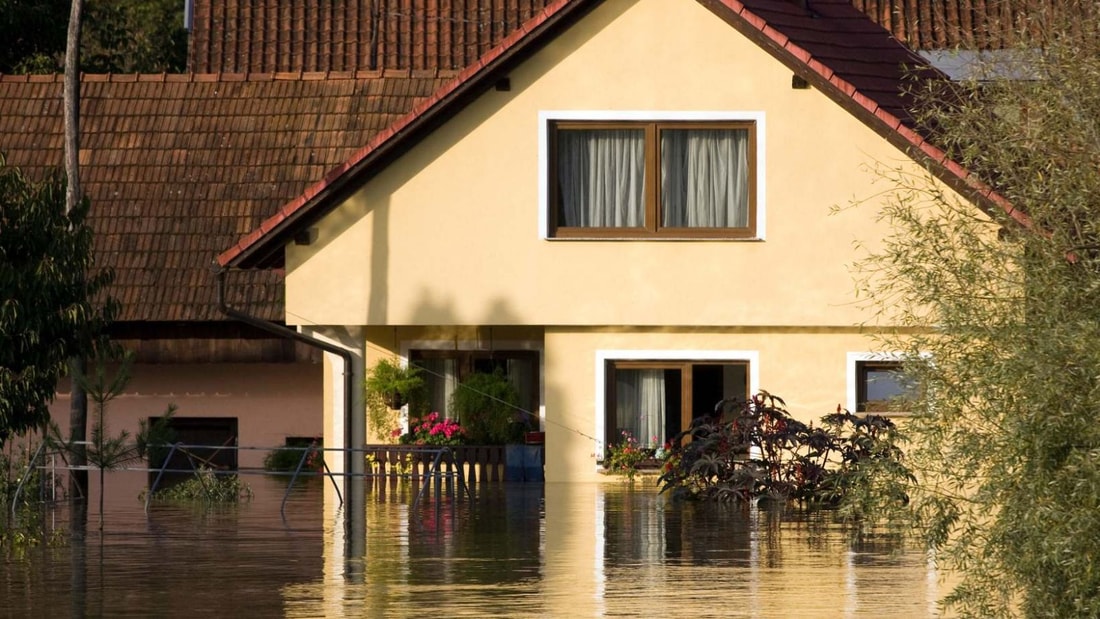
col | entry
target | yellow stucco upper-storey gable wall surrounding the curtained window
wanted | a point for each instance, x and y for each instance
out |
(449, 235)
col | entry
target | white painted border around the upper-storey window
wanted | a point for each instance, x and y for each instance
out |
(548, 117)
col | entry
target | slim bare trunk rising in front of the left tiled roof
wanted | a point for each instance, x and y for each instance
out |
(79, 405)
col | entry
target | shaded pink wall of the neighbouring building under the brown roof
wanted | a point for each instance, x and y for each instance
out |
(271, 401)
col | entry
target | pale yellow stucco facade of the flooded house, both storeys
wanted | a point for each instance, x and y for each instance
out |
(449, 235)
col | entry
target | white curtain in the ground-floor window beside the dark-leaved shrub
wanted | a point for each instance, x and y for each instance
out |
(640, 406)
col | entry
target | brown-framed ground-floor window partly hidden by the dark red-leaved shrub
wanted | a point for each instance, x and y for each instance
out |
(654, 401)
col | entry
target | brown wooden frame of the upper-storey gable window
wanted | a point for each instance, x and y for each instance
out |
(653, 229)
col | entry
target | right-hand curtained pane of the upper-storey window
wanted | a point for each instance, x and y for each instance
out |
(705, 178)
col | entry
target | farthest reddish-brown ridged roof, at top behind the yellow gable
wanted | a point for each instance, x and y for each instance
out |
(321, 36)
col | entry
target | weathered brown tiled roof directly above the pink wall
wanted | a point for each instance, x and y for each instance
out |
(179, 168)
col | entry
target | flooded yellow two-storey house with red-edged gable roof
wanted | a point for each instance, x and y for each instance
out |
(512, 219)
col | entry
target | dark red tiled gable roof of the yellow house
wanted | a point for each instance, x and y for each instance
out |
(830, 43)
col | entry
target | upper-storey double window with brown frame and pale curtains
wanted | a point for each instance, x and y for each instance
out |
(665, 180)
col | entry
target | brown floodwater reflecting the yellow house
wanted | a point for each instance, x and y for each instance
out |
(521, 550)
